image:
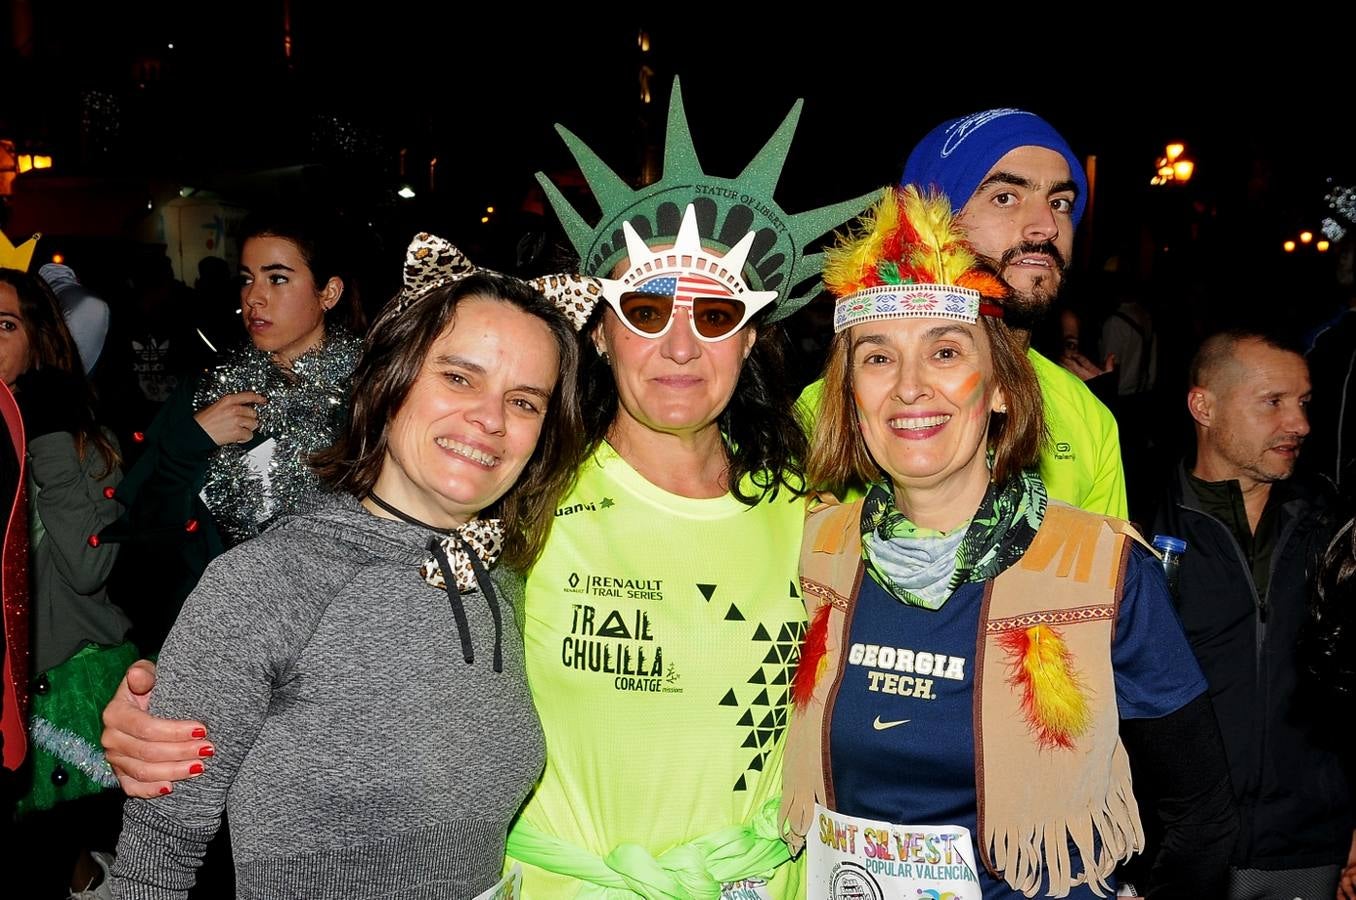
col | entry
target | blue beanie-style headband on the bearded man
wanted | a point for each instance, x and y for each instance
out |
(957, 155)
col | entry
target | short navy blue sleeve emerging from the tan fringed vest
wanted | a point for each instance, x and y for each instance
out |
(1156, 670)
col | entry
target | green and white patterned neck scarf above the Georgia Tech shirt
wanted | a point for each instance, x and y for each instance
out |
(923, 569)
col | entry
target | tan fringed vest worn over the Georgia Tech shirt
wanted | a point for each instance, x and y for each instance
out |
(1033, 798)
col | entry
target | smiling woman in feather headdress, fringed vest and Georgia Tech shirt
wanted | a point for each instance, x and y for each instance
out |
(976, 651)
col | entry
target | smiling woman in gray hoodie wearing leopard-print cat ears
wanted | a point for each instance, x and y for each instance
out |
(388, 615)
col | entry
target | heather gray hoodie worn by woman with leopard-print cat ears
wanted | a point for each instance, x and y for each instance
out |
(359, 754)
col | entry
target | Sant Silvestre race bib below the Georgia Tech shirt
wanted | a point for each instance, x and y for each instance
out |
(864, 860)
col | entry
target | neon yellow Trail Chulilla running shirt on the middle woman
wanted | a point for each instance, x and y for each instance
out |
(661, 638)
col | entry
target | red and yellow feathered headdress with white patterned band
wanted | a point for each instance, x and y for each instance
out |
(908, 258)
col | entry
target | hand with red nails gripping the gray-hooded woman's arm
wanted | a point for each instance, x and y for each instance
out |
(148, 753)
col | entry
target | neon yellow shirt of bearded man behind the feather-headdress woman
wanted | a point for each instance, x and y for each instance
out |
(1081, 463)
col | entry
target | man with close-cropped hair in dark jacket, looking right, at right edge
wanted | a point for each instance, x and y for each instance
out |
(1254, 533)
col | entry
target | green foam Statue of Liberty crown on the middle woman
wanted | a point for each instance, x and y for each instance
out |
(744, 230)
